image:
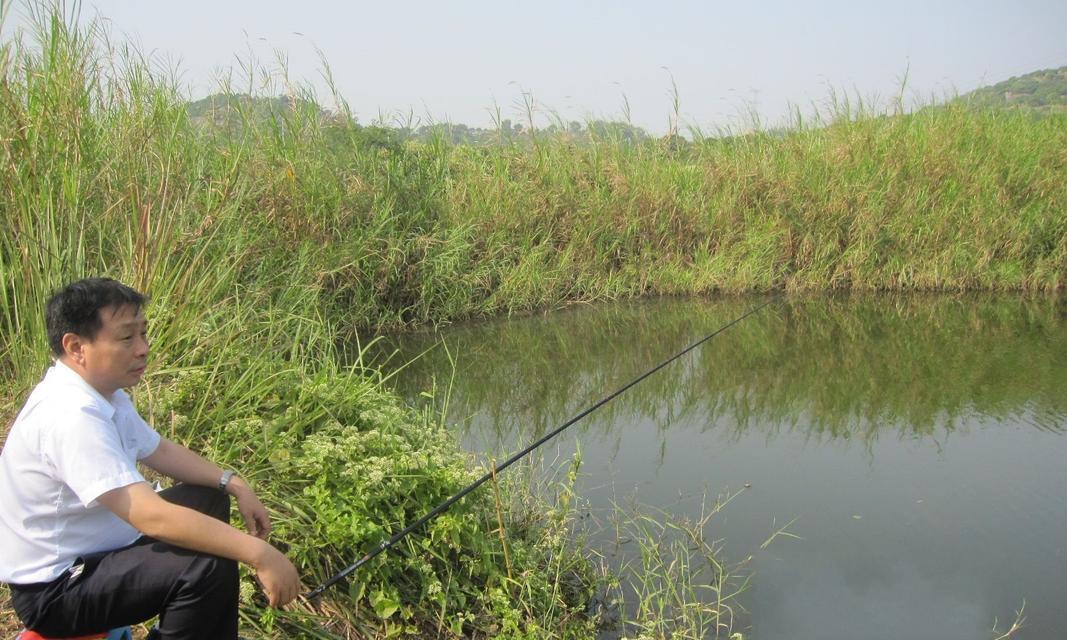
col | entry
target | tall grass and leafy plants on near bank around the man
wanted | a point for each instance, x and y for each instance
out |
(102, 174)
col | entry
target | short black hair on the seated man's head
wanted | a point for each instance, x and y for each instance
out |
(76, 308)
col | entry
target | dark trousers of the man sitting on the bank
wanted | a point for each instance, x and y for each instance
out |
(195, 595)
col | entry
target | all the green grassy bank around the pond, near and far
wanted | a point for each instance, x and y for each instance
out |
(265, 241)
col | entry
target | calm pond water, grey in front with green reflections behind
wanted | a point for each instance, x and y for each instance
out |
(919, 443)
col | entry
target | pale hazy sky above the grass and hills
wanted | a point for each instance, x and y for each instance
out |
(456, 60)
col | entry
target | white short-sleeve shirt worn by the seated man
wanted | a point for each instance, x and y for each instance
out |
(69, 446)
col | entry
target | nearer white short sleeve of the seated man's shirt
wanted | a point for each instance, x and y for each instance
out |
(88, 456)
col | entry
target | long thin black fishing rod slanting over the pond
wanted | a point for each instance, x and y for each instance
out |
(497, 469)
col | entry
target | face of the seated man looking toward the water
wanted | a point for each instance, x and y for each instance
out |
(117, 357)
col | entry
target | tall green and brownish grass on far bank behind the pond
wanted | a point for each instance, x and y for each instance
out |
(951, 198)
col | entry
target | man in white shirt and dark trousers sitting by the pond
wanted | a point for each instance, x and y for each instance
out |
(87, 545)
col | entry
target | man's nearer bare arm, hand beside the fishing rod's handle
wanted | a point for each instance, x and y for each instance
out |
(154, 517)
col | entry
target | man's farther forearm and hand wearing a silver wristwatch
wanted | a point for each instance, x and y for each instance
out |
(176, 461)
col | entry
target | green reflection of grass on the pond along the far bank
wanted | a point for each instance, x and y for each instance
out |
(848, 367)
